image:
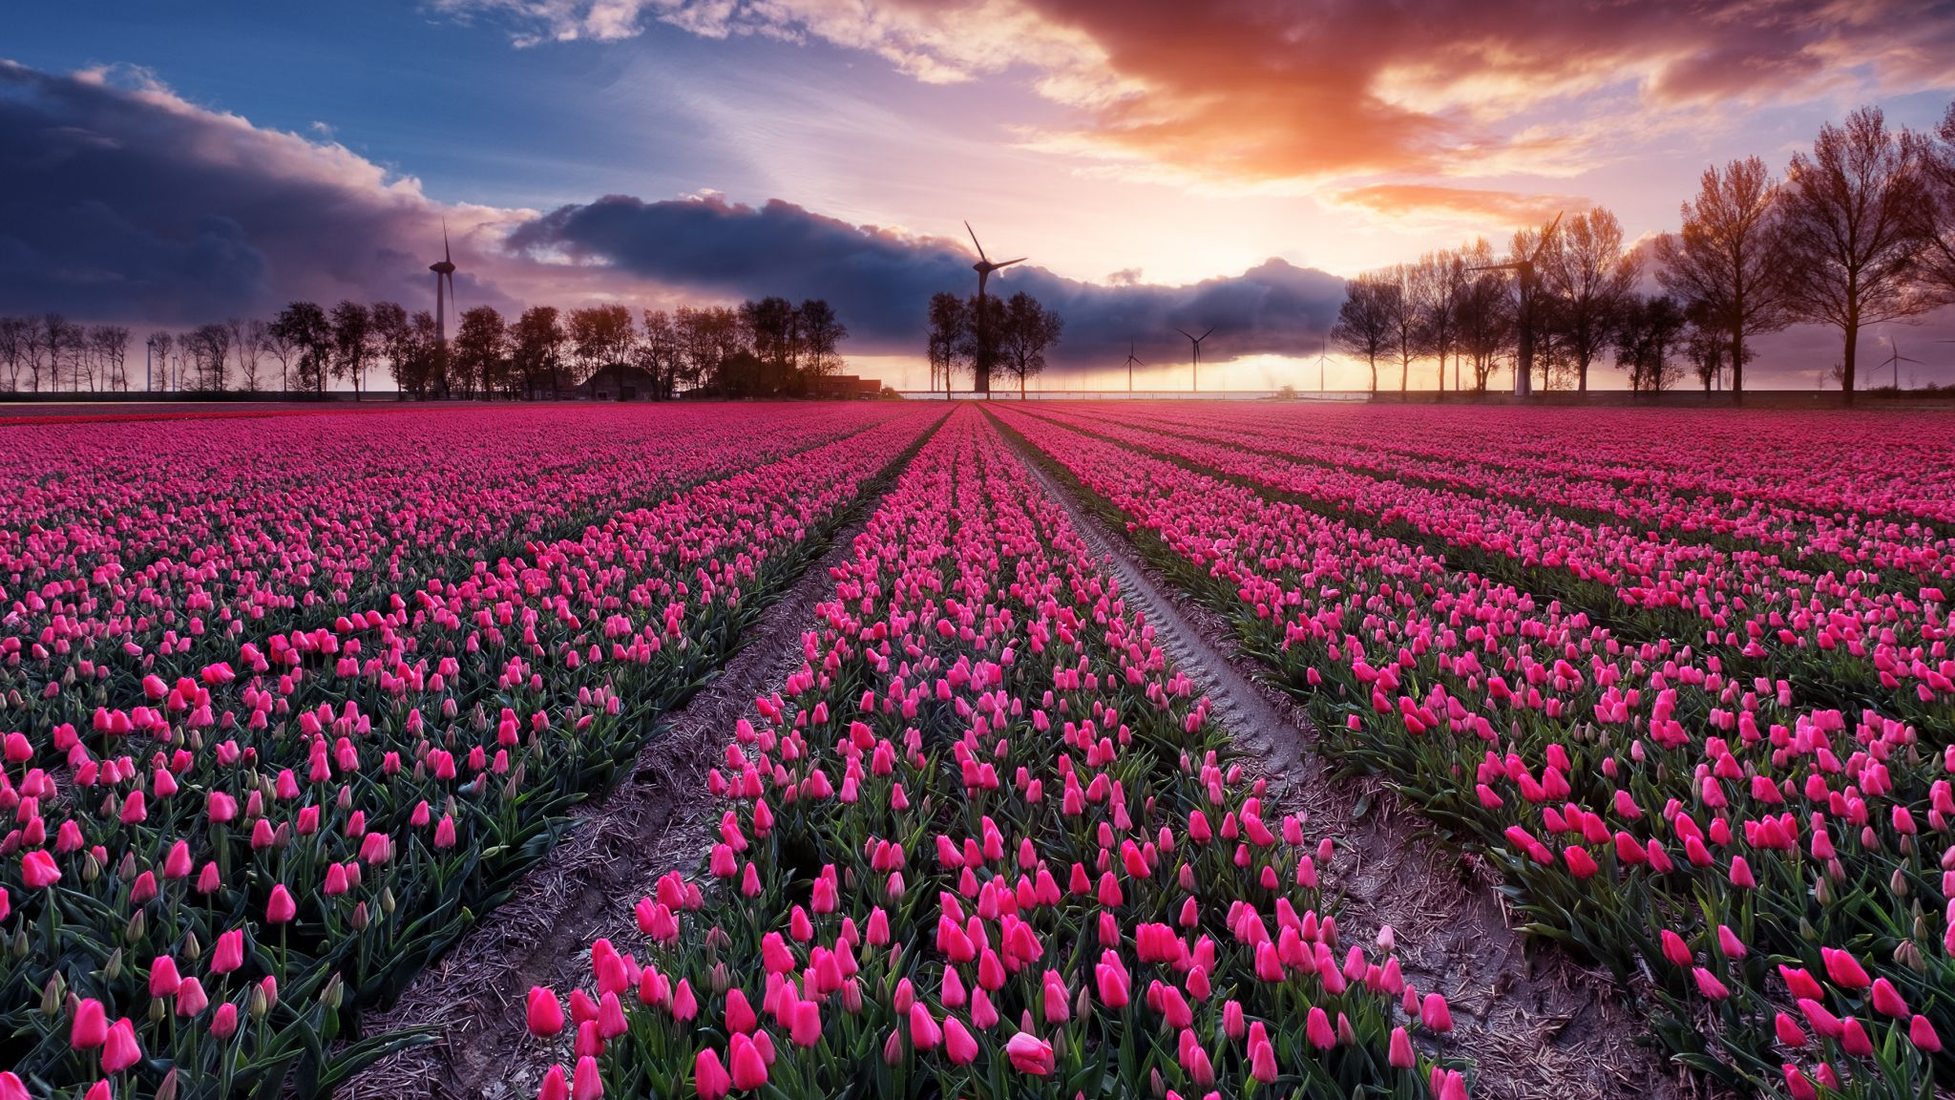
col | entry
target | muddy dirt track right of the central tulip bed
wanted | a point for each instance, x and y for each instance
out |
(1534, 1023)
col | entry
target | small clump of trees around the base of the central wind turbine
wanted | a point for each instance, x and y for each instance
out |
(988, 337)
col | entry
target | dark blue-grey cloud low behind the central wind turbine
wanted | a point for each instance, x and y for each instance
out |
(879, 280)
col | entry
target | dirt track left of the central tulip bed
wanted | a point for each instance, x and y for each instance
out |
(654, 822)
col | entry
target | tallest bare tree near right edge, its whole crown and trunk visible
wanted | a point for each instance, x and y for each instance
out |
(1854, 230)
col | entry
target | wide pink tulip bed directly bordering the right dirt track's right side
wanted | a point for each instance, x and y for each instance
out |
(1776, 872)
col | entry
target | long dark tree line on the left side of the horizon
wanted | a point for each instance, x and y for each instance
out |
(761, 349)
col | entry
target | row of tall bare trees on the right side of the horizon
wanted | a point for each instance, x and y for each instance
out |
(1858, 232)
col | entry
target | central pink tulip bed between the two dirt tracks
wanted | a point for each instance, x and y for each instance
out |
(988, 843)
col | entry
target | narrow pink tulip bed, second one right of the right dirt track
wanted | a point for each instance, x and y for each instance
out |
(1837, 642)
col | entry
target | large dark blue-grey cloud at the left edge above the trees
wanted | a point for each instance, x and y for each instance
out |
(126, 202)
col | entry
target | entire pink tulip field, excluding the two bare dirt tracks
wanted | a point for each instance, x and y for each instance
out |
(292, 702)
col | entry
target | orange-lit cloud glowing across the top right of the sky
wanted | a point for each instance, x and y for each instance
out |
(1334, 89)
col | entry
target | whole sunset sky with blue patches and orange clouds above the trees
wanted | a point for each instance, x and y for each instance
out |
(1162, 163)
